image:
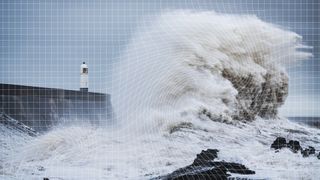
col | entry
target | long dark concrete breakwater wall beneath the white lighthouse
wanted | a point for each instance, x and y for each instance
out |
(41, 108)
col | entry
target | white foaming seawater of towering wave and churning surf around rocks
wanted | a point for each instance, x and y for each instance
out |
(170, 72)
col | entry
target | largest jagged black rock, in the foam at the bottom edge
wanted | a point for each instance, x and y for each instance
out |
(204, 167)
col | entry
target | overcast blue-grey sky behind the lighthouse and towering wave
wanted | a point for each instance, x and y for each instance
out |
(44, 42)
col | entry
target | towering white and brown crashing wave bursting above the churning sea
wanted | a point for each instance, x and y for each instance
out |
(230, 66)
